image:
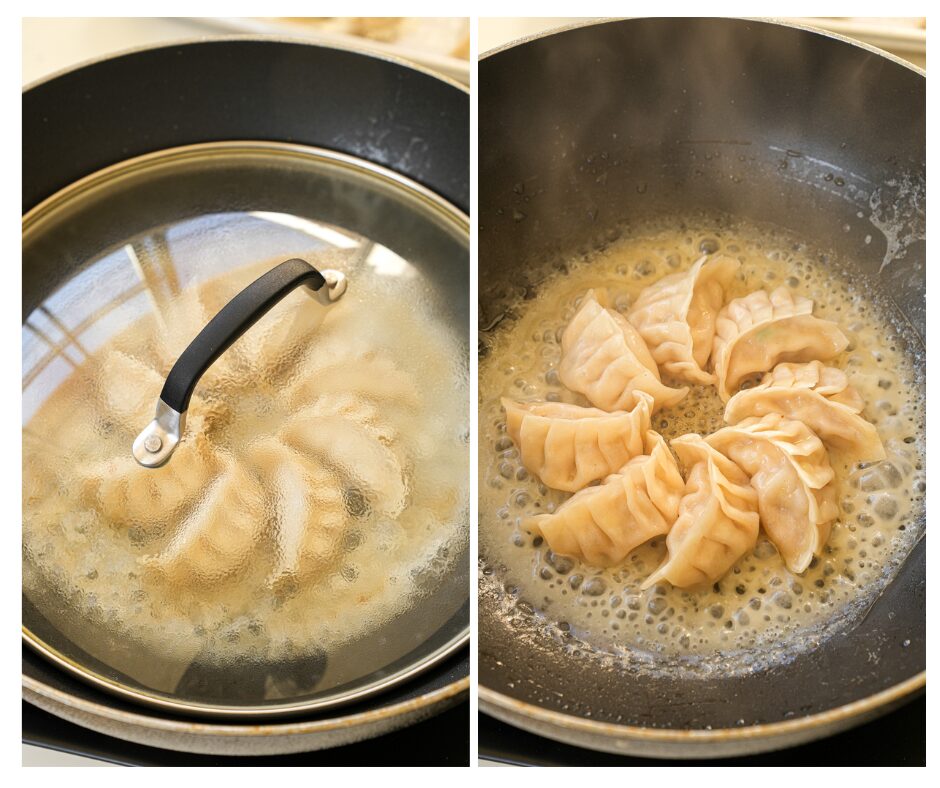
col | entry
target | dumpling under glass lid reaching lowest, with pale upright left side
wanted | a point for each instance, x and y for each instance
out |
(309, 512)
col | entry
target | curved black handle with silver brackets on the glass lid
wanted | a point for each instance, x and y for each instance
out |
(159, 439)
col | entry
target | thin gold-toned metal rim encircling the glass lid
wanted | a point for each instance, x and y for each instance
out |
(443, 210)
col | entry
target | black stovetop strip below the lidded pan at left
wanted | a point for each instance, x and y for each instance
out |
(443, 740)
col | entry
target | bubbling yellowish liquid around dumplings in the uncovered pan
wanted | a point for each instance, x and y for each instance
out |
(743, 622)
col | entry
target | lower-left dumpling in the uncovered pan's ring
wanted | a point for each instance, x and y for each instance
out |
(601, 525)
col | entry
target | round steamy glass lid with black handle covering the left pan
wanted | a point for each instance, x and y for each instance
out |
(306, 541)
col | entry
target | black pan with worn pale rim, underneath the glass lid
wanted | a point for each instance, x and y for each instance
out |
(379, 110)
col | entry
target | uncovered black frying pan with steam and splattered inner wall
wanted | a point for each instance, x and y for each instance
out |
(764, 121)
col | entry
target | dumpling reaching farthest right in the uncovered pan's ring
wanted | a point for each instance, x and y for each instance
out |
(821, 398)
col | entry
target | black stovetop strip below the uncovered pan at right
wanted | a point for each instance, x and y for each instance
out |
(896, 739)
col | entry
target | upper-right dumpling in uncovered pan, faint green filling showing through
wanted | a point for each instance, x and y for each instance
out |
(754, 333)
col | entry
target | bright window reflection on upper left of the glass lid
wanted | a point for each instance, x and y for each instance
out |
(102, 299)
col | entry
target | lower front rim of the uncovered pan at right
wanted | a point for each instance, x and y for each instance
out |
(499, 701)
